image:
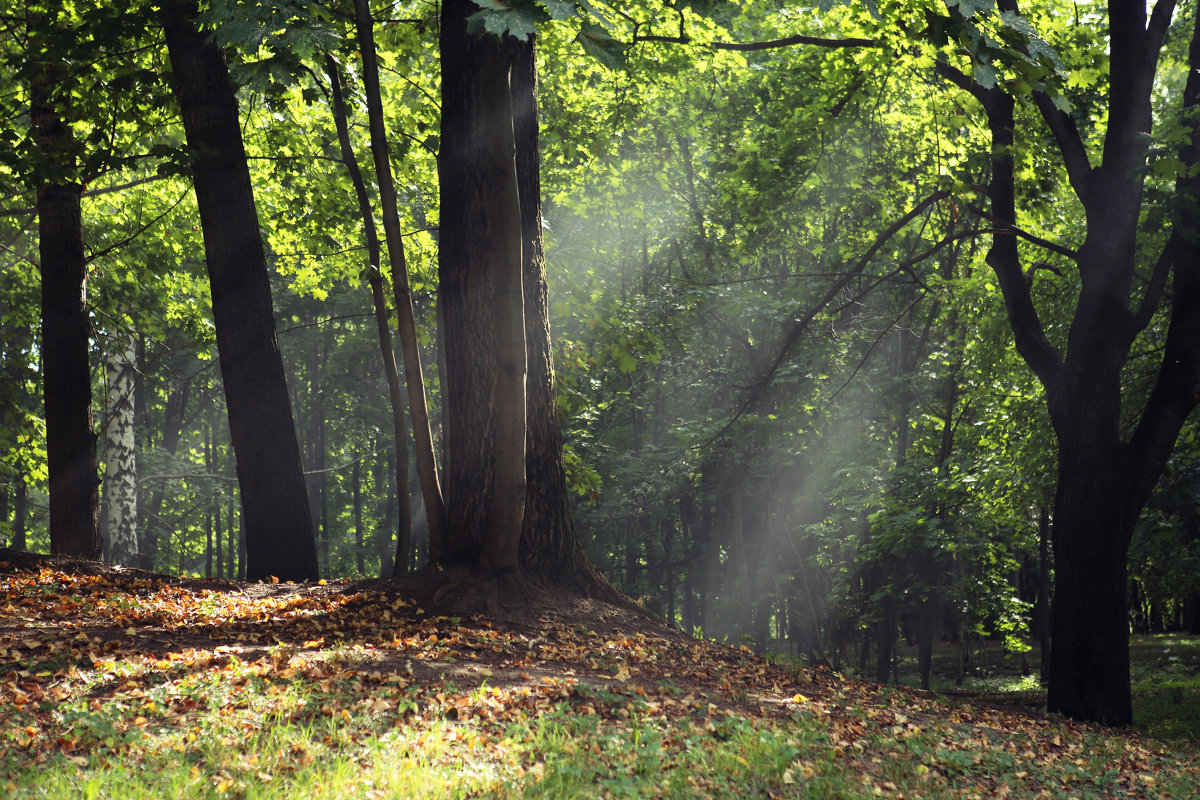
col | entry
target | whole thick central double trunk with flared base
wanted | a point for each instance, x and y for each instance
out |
(506, 482)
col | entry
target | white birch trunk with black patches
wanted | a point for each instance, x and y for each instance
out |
(121, 455)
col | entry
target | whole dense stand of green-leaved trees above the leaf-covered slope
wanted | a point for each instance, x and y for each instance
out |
(872, 322)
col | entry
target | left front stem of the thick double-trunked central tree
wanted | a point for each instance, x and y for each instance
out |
(481, 239)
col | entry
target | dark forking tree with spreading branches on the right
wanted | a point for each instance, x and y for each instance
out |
(1109, 455)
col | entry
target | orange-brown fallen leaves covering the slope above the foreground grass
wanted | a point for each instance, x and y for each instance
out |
(131, 654)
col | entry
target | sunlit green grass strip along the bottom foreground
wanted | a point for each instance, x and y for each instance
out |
(579, 749)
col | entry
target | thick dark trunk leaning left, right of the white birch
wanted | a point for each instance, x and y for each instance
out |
(278, 522)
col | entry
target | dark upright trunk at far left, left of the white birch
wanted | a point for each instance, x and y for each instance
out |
(70, 440)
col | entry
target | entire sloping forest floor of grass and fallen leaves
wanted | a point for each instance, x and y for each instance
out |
(124, 684)
